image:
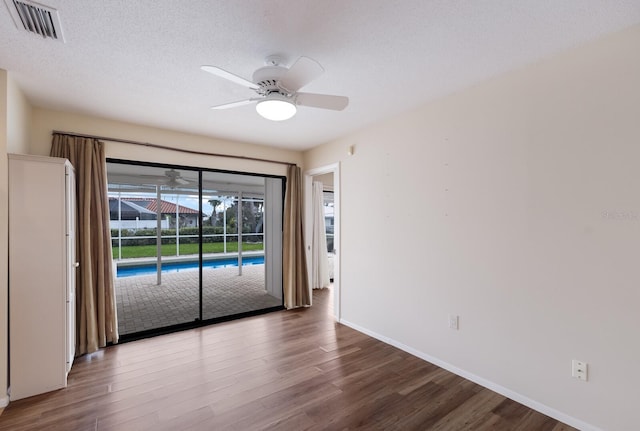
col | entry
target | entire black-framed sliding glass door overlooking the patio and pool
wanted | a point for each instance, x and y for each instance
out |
(193, 245)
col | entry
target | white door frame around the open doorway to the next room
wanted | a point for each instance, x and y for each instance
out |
(308, 187)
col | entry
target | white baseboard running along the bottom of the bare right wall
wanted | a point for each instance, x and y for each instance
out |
(544, 409)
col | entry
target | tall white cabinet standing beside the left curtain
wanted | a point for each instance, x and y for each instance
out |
(41, 274)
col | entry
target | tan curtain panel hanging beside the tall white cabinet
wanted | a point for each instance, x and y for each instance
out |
(96, 320)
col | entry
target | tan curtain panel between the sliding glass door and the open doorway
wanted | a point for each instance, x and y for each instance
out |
(296, 283)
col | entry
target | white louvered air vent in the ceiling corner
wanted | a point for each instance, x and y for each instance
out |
(36, 18)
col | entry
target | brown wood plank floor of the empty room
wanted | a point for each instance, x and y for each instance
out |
(288, 370)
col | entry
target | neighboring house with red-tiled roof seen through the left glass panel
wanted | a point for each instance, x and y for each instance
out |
(138, 212)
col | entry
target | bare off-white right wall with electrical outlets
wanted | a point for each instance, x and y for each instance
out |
(516, 205)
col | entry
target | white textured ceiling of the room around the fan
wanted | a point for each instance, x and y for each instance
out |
(139, 61)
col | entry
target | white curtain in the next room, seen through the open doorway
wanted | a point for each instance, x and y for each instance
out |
(320, 256)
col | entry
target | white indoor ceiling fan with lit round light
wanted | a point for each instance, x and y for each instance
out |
(277, 88)
